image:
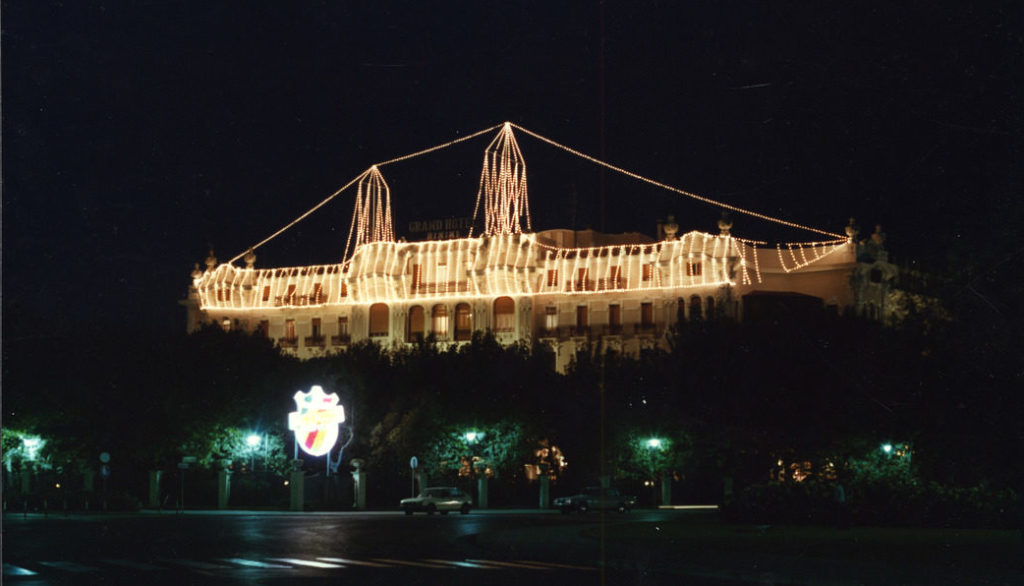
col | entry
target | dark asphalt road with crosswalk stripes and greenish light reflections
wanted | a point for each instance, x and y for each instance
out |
(493, 548)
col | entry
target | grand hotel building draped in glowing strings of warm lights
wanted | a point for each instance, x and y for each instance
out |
(566, 288)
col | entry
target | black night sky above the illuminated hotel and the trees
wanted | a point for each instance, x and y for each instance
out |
(138, 135)
